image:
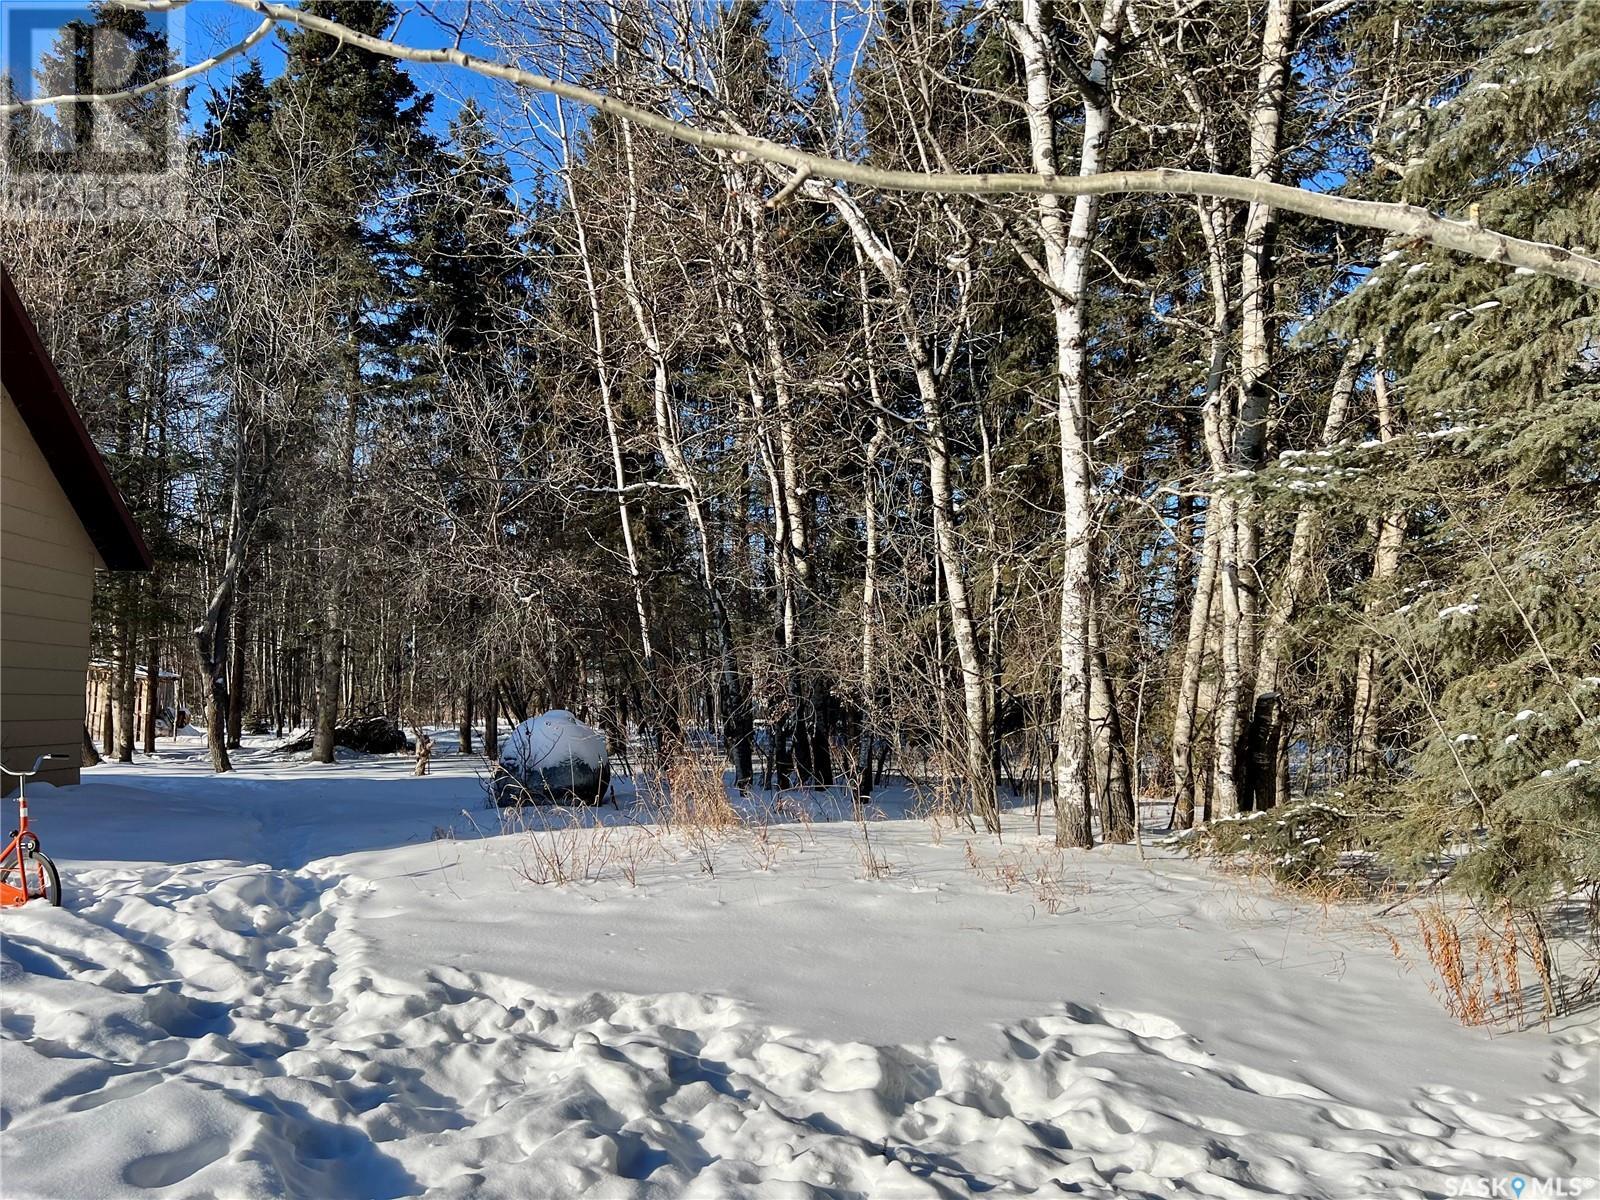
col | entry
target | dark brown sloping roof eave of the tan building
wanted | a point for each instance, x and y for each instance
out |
(54, 420)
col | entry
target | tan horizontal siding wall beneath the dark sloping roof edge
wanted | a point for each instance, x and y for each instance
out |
(47, 586)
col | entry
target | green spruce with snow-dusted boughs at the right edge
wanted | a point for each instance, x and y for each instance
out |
(1487, 634)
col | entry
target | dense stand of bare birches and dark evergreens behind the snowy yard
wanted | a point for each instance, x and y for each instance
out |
(465, 406)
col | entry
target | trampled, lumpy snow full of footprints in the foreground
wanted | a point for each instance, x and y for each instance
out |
(225, 1031)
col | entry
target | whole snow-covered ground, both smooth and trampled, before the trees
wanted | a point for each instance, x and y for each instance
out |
(334, 982)
